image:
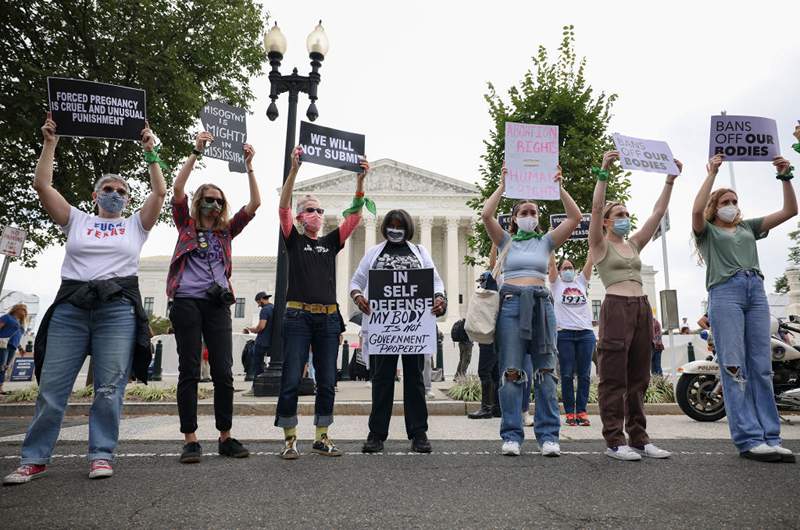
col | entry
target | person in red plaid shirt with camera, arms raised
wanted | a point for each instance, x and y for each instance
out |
(199, 284)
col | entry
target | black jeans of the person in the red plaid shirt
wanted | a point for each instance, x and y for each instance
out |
(194, 320)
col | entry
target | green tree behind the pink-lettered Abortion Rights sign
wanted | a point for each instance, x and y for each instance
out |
(555, 93)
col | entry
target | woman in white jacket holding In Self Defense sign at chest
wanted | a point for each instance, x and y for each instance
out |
(397, 252)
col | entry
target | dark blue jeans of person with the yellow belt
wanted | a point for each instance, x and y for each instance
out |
(320, 332)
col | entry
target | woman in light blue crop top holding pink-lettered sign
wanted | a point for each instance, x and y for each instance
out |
(526, 324)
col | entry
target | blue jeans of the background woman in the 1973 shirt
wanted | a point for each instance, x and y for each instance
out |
(575, 349)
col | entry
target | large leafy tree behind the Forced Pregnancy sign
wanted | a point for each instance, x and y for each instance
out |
(182, 53)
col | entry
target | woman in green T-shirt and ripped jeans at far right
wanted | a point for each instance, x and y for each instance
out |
(739, 311)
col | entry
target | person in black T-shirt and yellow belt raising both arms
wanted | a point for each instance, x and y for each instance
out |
(312, 314)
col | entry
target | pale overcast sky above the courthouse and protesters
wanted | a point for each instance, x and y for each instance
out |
(411, 76)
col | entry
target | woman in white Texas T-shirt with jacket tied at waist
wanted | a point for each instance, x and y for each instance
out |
(97, 308)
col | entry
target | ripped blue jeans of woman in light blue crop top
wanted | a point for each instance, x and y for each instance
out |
(517, 354)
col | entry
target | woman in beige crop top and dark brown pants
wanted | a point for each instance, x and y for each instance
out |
(626, 320)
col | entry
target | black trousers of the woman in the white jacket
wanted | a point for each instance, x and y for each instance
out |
(416, 410)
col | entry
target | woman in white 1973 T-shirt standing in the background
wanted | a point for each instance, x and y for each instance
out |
(576, 338)
